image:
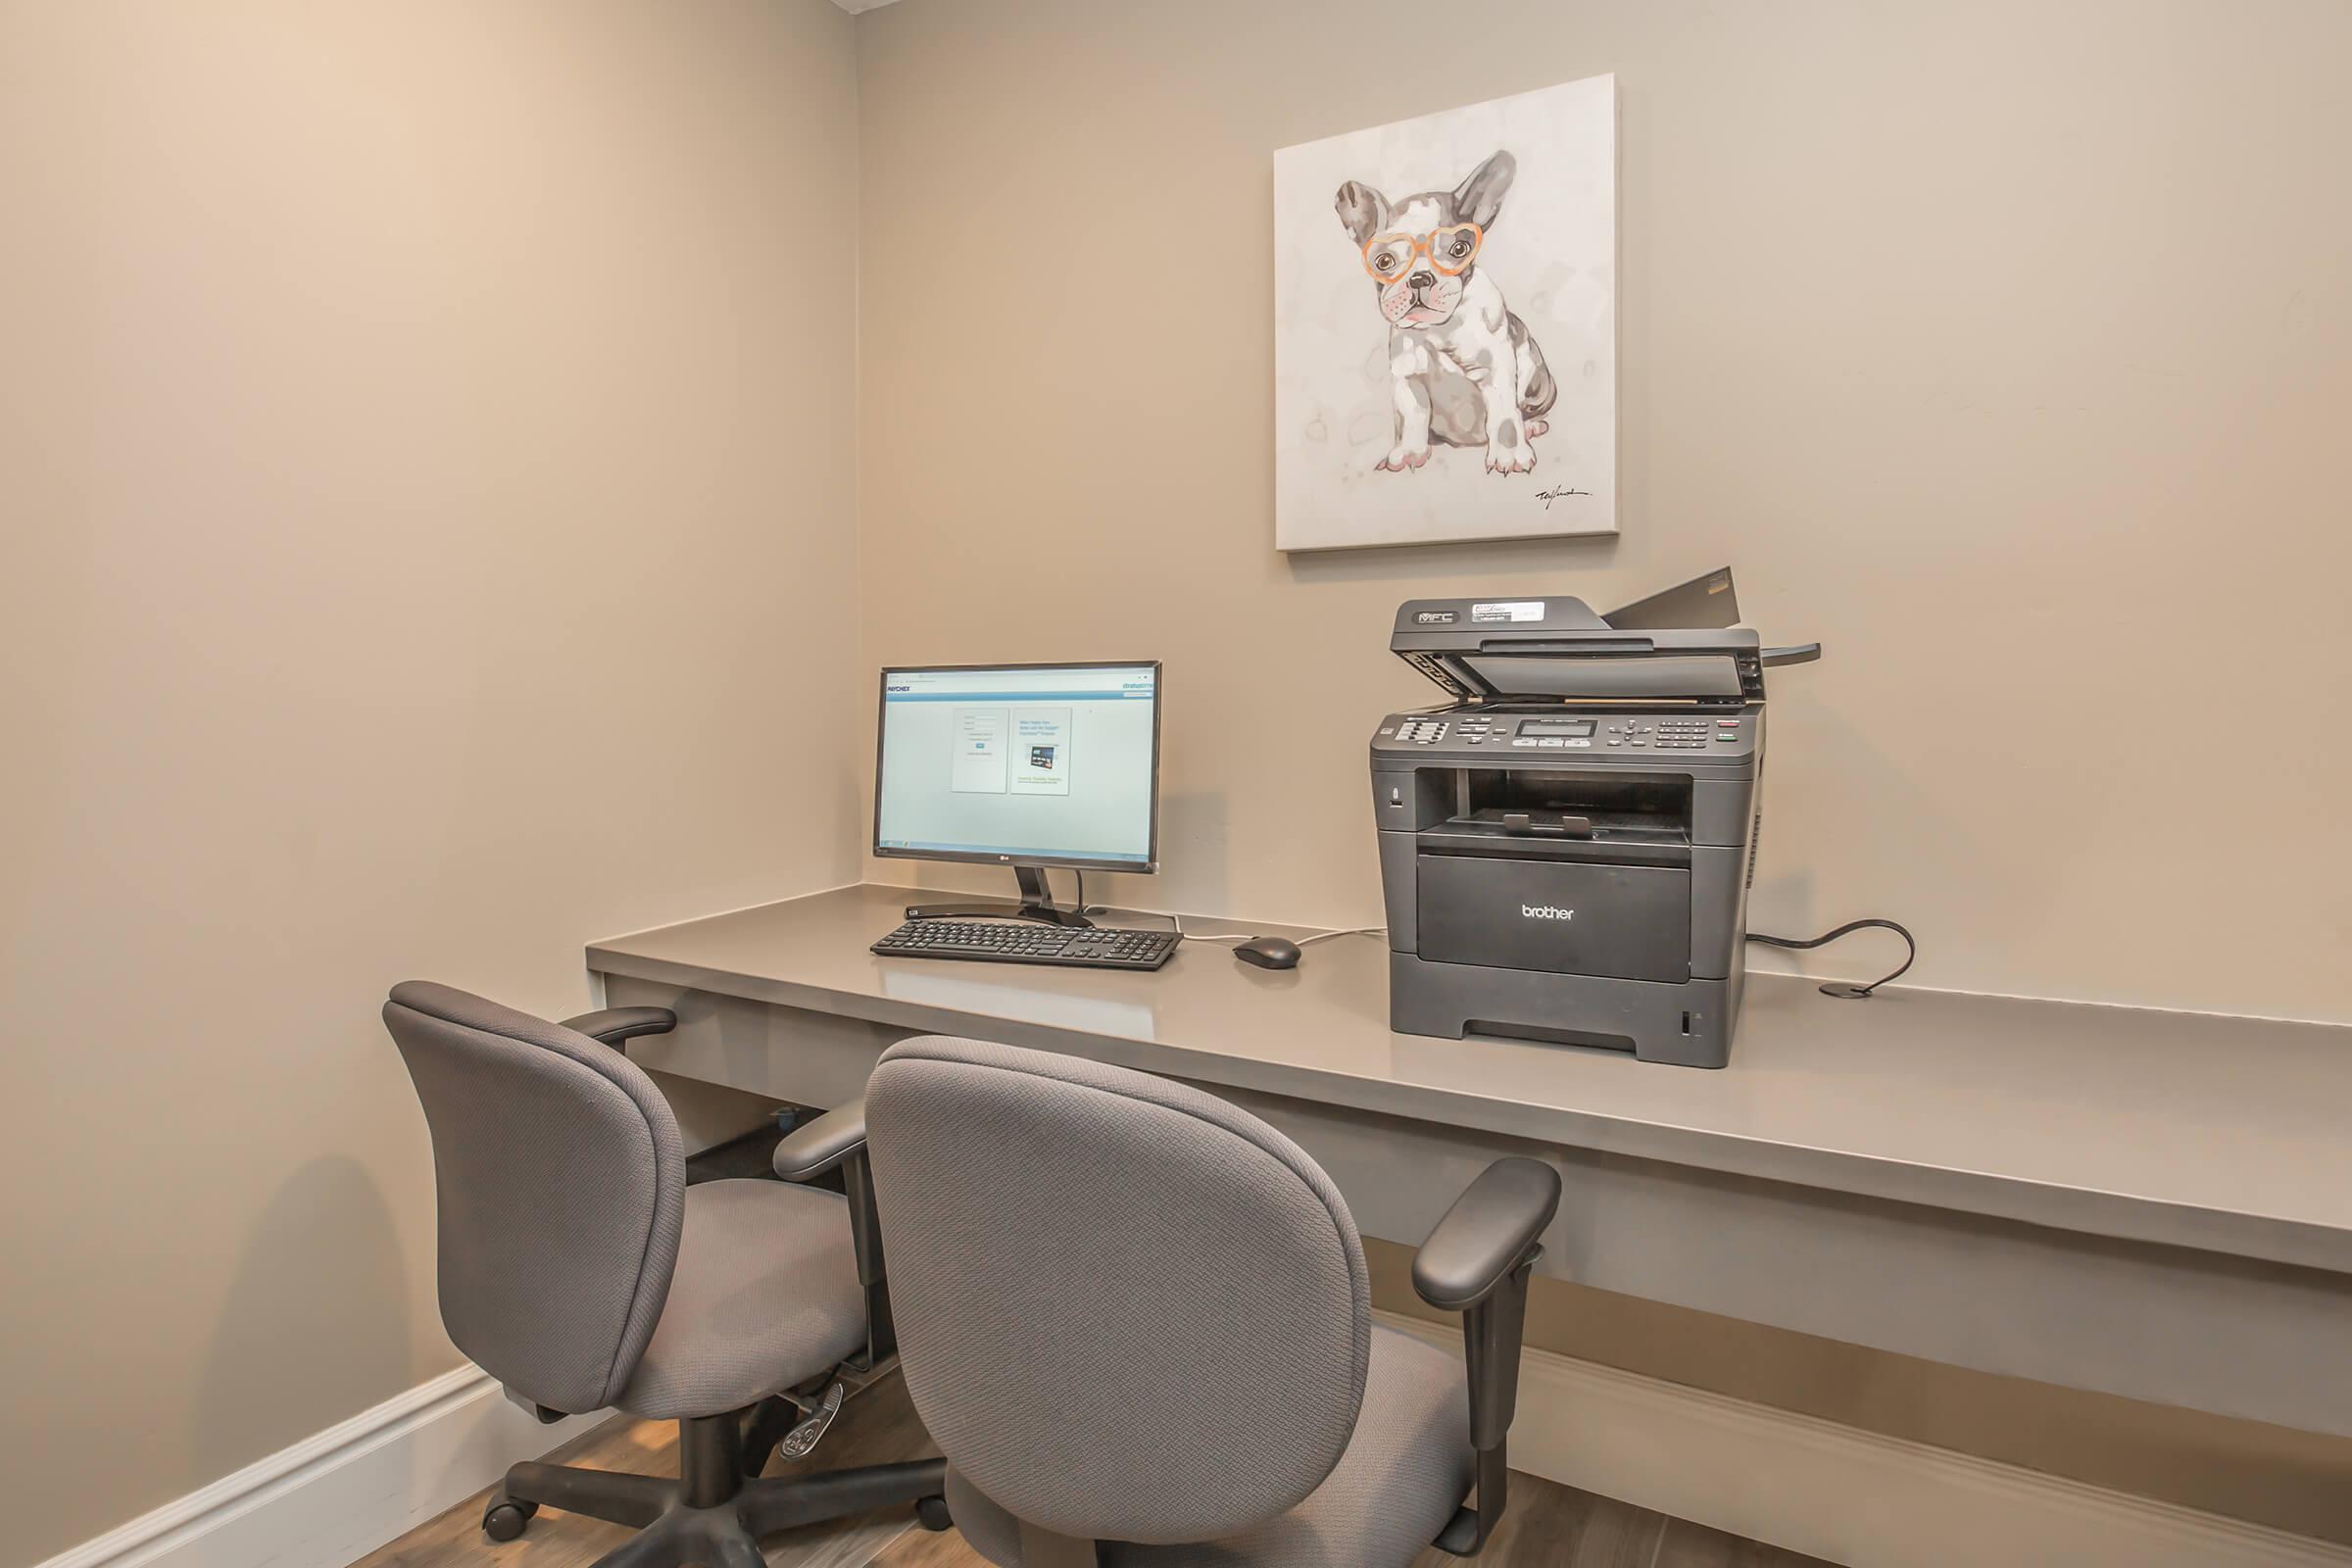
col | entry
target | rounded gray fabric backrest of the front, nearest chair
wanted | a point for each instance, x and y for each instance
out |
(1125, 1308)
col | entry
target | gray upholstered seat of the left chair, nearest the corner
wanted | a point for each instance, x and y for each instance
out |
(766, 1296)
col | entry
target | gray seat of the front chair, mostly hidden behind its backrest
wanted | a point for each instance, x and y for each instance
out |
(1408, 1468)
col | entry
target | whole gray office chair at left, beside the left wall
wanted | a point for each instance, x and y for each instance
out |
(584, 1273)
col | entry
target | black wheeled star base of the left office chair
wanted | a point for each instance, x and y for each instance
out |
(711, 1515)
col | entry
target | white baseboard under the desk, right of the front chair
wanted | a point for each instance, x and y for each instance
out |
(1843, 1494)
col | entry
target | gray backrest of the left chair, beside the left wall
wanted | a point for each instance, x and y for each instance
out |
(563, 1188)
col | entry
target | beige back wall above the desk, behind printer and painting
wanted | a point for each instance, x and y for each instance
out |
(2005, 349)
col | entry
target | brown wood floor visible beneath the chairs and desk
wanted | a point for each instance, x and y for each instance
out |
(1546, 1527)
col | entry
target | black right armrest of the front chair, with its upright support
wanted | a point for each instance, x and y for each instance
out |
(1478, 1264)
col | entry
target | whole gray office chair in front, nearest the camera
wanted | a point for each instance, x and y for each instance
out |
(1137, 1322)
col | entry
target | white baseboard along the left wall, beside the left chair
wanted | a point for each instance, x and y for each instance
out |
(345, 1492)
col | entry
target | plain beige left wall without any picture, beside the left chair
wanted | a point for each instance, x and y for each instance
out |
(427, 528)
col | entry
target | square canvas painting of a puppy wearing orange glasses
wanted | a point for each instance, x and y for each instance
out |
(1476, 398)
